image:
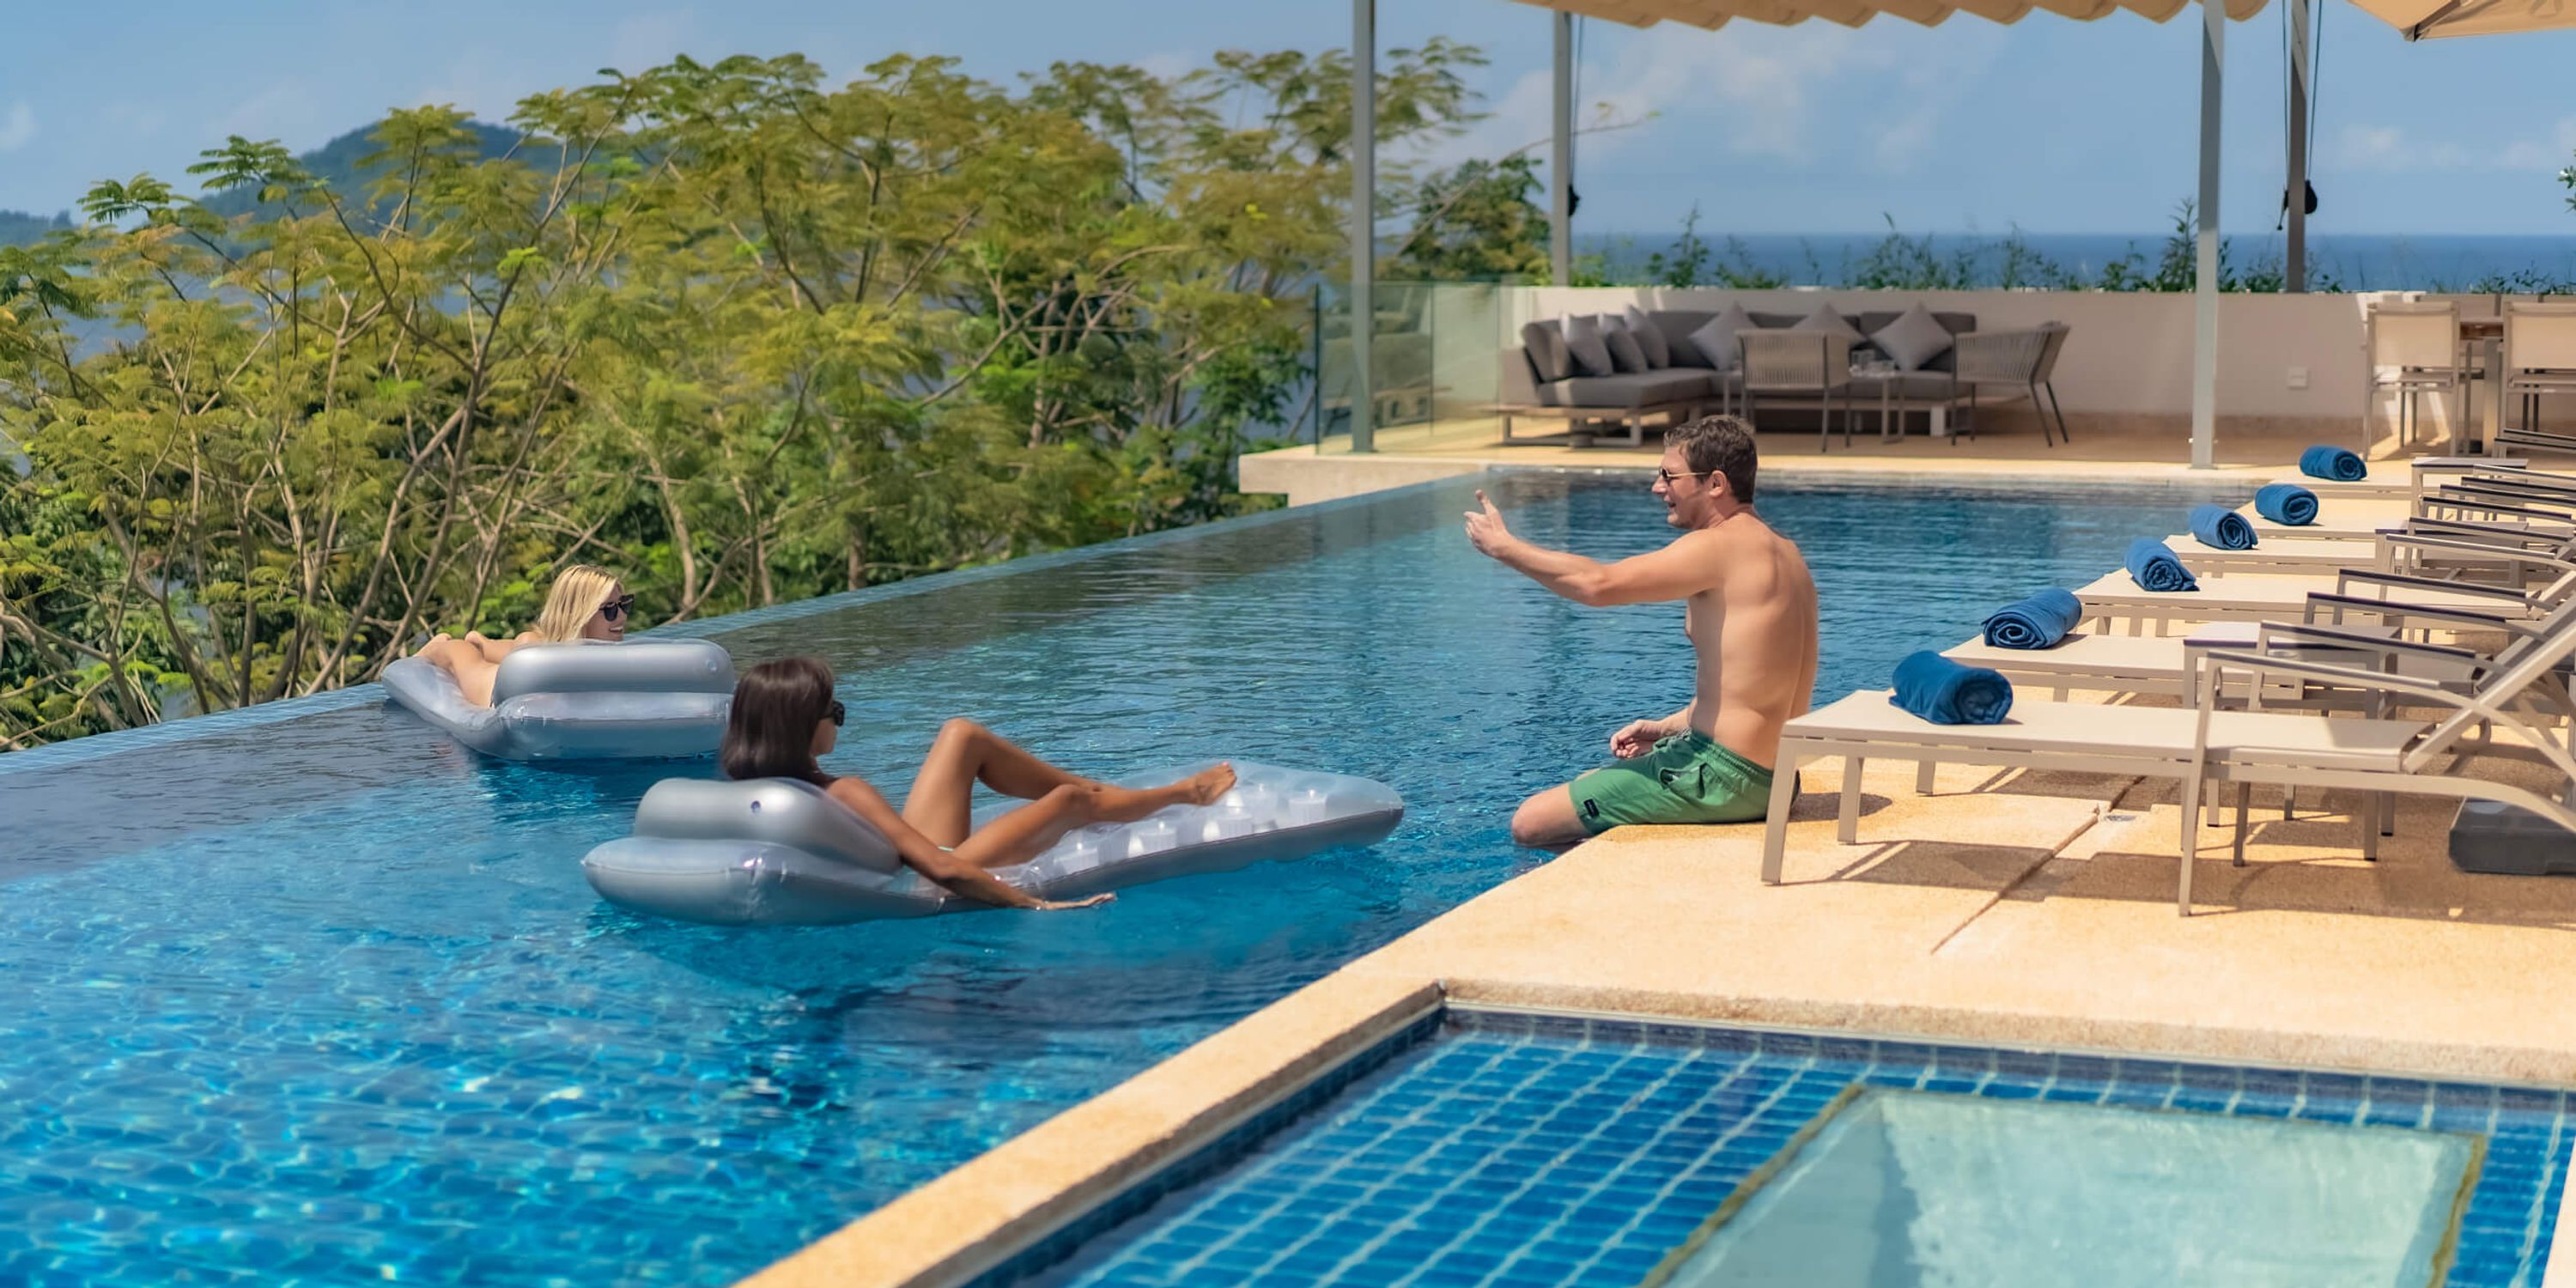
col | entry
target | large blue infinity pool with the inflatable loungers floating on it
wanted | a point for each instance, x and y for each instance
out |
(326, 998)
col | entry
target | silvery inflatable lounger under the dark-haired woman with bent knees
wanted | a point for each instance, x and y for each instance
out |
(777, 851)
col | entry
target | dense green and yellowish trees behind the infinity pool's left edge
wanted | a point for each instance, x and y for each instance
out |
(723, 328)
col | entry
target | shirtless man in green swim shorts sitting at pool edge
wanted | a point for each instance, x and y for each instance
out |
(1750, 620)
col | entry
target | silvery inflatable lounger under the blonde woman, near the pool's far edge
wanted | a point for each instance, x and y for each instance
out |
(583, 702)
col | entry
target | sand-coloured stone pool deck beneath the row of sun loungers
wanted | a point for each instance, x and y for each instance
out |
(2008, 908)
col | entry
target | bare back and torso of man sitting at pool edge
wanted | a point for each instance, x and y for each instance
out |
(1756, 632)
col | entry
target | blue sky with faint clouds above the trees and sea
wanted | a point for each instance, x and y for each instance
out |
(2047, 125)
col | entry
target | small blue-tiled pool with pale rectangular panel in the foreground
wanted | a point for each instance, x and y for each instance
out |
(1534, 1153)
